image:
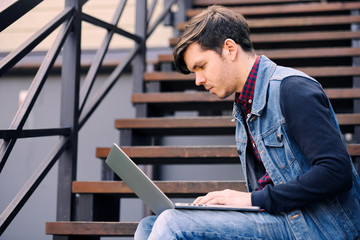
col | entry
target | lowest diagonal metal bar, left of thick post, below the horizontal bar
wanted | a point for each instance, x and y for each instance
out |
(31, 185)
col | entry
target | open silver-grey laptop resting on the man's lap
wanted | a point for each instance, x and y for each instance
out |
(146, 190)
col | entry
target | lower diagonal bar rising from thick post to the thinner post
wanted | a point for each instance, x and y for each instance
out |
(109, 83)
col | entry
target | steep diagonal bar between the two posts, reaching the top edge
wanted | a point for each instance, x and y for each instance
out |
(100, 54)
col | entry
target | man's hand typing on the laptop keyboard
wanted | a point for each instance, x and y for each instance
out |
(226, 197)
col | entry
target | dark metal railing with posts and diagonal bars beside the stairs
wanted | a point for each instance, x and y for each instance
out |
(76, 104)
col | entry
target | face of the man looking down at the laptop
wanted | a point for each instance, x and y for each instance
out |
(216, 73)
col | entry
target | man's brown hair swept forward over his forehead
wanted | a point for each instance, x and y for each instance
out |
(210, 29)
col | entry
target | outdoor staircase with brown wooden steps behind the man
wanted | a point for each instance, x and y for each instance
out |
(321, 38)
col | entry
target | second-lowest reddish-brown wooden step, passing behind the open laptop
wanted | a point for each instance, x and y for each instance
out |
(170, 188)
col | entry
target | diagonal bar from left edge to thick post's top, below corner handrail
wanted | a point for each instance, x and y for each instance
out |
(15, 56)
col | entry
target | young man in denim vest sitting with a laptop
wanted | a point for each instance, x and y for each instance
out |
(294, 159)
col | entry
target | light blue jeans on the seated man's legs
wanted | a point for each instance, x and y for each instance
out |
(184, 224)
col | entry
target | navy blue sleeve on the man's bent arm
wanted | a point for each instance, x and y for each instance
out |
(306, 110)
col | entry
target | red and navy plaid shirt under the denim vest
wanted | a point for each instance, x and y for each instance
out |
(244, 100)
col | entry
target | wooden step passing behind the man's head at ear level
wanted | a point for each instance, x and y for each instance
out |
(294, 53)
